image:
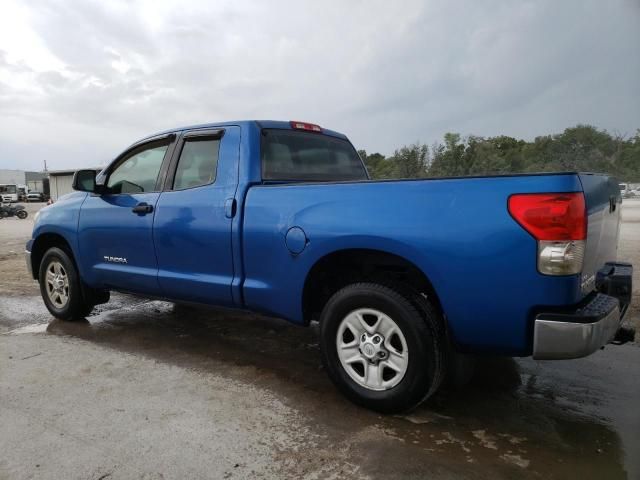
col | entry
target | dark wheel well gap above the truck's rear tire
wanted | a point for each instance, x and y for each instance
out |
(339, 269)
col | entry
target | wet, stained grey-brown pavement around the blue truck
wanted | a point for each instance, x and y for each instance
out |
(148, 389)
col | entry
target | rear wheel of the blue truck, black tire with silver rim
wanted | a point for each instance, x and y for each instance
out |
(417, 352)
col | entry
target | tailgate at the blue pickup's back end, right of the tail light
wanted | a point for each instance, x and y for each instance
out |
(603, 201)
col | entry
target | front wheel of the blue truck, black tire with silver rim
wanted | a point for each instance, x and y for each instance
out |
(60, 286)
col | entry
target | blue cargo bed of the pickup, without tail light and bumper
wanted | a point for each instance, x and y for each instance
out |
(458, 231)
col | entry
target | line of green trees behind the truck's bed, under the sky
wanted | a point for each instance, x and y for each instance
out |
(581, 148)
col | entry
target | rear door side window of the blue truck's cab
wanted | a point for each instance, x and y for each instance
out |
(198, 163)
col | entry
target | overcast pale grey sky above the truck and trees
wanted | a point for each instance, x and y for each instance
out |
(80, 80)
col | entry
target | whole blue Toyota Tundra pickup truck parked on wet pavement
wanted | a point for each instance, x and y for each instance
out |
(403, 276)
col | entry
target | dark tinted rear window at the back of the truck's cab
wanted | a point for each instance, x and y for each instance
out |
(301, 156)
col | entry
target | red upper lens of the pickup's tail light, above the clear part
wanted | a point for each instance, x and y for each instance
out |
(551, 216)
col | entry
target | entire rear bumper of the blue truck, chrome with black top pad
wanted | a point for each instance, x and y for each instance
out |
(578, 333)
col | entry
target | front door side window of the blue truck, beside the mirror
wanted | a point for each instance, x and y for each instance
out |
(139, 172)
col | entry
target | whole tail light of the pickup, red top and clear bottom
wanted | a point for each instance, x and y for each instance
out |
(558, 221)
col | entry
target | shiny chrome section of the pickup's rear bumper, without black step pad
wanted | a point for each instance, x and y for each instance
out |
(555, 340)
